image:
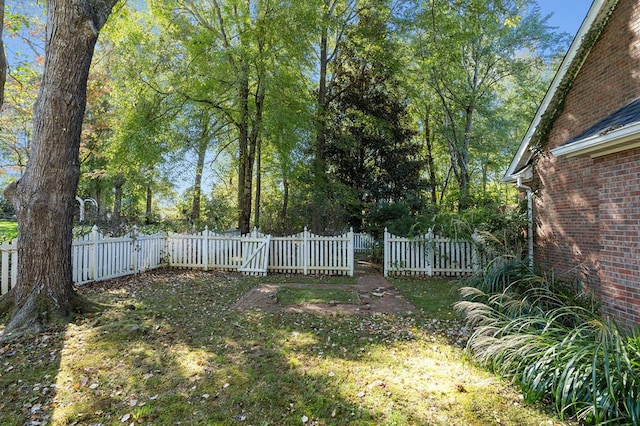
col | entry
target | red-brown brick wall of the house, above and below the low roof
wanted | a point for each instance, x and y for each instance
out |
(585, 208)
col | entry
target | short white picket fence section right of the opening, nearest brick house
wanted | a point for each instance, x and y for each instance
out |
(431, 255)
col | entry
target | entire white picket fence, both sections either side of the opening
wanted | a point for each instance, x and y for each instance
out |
(97, 257)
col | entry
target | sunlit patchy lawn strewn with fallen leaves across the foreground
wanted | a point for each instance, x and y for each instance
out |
(168, 349)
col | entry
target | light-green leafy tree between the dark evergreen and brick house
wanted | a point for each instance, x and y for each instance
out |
(472, 51)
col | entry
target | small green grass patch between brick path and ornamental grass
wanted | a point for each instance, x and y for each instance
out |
(433, 296)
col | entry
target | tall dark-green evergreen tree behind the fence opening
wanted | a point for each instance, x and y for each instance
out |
(370, 148)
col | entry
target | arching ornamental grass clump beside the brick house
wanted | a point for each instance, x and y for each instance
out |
(534, 332)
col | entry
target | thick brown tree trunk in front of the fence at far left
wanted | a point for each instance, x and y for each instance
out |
(44, 196)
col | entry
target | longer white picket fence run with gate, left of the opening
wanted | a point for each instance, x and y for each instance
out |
(96, 257)
